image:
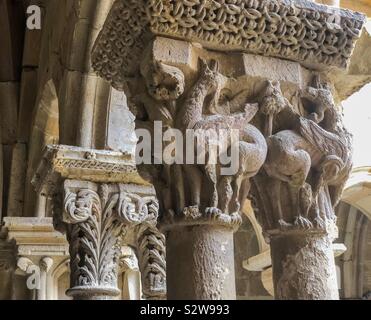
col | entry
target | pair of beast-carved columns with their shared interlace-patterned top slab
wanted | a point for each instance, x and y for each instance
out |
(214, 79)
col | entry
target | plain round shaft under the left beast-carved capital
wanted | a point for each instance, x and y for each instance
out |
(200, 262)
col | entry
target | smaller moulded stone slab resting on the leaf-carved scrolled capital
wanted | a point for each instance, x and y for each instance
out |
(60, 161)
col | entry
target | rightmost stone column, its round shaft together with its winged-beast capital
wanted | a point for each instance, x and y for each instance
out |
(294, 197)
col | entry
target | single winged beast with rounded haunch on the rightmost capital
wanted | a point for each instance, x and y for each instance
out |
(314, 159)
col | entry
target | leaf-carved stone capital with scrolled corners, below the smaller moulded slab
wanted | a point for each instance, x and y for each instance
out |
(95, 217)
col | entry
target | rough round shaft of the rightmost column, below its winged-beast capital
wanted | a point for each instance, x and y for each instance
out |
(304, 266)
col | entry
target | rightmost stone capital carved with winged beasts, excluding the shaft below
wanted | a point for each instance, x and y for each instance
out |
(308, 162)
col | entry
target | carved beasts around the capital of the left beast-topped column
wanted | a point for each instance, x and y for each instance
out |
(199, 107)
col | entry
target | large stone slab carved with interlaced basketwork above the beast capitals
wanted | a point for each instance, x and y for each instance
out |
(315, 35)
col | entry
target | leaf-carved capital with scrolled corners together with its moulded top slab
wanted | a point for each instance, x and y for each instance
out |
(94, 210)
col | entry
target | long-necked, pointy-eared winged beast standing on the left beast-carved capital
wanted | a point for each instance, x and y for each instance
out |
(251, 145)
